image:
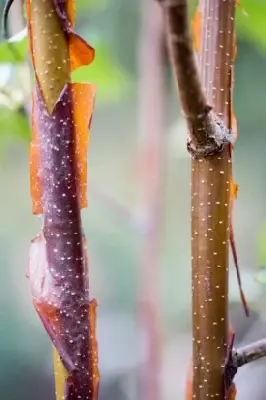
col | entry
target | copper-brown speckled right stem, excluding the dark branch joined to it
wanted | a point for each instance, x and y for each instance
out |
(210, 194)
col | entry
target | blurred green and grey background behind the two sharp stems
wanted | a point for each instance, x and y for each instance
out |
(137, 223)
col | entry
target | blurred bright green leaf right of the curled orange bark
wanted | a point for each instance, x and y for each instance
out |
(112, 81)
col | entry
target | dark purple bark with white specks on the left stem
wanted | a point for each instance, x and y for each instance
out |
(66, 261)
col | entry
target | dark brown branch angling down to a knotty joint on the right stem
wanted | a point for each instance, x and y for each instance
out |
(207, 133)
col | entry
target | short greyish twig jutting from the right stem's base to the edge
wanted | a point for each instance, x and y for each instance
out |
(249, 353)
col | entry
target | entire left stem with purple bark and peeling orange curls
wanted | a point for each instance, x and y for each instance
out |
(58, 265)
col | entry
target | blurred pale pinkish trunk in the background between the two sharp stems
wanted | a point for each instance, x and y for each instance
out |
(151, 170)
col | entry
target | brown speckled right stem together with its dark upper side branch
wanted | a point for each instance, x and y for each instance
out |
(209, 140)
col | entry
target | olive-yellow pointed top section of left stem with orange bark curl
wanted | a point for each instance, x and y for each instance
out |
(56, 50)
